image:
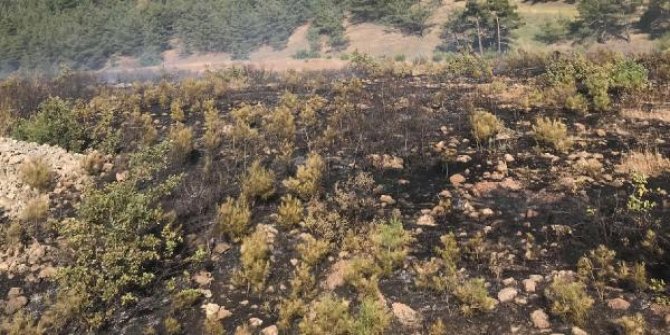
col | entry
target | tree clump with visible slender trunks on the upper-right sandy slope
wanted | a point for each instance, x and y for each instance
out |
(482, 25)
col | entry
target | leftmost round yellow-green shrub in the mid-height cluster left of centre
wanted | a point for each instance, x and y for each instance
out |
(234, 217)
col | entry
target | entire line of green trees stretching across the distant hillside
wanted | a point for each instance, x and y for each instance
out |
(87, 34)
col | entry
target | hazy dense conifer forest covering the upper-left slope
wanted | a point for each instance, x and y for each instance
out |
(86, 33)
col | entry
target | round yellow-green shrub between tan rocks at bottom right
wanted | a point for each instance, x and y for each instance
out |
(569, 300)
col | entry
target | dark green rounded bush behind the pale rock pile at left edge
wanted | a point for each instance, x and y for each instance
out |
(55, 123)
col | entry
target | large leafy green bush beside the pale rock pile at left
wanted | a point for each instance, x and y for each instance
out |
(119, 237)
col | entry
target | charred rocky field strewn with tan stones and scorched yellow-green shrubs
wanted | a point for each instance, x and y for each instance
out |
(521, 213)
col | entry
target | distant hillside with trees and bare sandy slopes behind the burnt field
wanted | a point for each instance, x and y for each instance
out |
(44, 35)
